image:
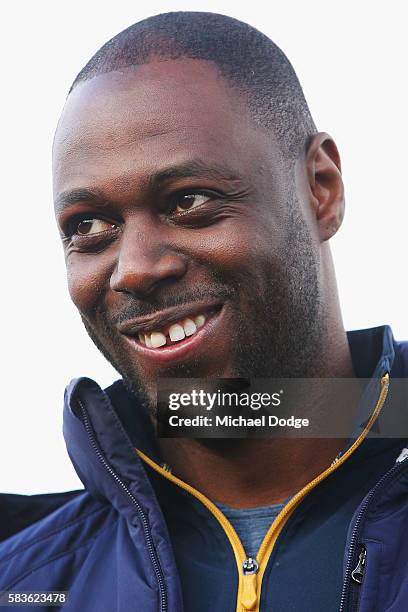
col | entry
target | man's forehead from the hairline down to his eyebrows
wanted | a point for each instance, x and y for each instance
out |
(152, 116)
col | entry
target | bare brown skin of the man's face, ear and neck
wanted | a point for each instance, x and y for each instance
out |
(168, 196)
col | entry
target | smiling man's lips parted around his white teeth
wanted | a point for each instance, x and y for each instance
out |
(176, 351)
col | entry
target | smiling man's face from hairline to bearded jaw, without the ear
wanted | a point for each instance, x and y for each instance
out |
(181, 225)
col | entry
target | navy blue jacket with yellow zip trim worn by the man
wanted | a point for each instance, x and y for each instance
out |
(138, 539)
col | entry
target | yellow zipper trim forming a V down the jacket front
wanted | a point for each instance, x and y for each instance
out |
(250, 584)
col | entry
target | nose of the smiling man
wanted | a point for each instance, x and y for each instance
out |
(145, 262)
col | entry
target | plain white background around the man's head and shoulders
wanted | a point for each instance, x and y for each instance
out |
(351, 58)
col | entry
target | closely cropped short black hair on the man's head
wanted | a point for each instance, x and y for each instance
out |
(246, 58)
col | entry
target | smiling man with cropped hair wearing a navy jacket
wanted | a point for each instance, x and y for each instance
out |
(195, 201)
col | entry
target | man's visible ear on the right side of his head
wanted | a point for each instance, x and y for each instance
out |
(326, 184)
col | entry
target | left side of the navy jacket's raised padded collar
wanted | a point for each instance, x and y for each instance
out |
(102, 434)
